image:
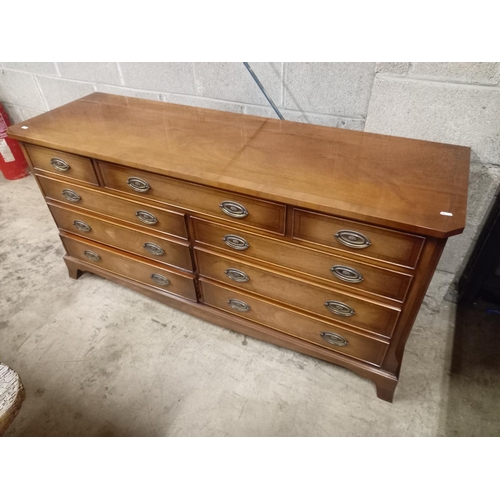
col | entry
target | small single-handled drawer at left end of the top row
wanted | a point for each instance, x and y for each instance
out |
(60, 163)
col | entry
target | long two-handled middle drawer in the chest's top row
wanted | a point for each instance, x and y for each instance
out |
(235, 208)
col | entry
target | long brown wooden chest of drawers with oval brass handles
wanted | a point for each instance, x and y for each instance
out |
(316, 239)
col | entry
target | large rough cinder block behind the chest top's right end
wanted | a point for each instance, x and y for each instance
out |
(449, 113)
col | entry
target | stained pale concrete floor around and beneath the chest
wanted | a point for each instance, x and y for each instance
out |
(101, 360)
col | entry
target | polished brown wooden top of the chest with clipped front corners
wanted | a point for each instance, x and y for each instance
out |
(390, 181)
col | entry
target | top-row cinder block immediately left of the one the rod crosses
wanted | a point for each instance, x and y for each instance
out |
(161, 77)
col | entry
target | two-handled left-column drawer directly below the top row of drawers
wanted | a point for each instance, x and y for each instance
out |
(140, 214)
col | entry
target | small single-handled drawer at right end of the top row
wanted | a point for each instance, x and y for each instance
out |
(355, 238)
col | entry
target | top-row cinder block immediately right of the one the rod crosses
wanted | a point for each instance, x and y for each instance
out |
(329, 88)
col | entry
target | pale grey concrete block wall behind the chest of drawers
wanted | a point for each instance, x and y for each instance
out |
(444, 102)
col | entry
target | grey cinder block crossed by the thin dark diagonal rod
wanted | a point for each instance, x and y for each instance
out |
(233, 82)
